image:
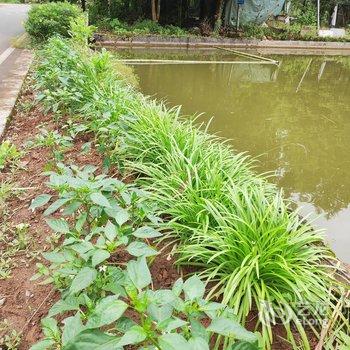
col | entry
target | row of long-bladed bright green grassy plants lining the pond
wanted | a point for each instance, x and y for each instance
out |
(230, 222)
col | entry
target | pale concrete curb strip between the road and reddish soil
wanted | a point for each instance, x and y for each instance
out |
(10, 87)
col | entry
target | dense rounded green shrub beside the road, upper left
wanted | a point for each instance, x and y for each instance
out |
(50, 19)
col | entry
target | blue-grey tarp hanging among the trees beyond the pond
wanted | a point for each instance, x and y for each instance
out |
(252, 11)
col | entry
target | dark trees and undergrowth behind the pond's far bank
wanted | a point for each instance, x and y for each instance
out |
(200, 17)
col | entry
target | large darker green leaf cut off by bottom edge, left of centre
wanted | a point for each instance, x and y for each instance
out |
(93, 340)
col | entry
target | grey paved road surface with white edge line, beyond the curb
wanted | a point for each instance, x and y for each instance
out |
(11, 25)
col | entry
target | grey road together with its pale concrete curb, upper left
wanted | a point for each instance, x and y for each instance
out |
(14, 63)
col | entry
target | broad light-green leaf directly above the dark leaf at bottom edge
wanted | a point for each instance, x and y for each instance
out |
(107, 311)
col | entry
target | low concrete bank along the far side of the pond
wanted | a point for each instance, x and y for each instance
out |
(207, 42)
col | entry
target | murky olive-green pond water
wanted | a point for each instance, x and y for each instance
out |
(294, 117)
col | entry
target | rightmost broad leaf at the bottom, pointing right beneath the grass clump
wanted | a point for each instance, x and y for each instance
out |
(231, 328)
